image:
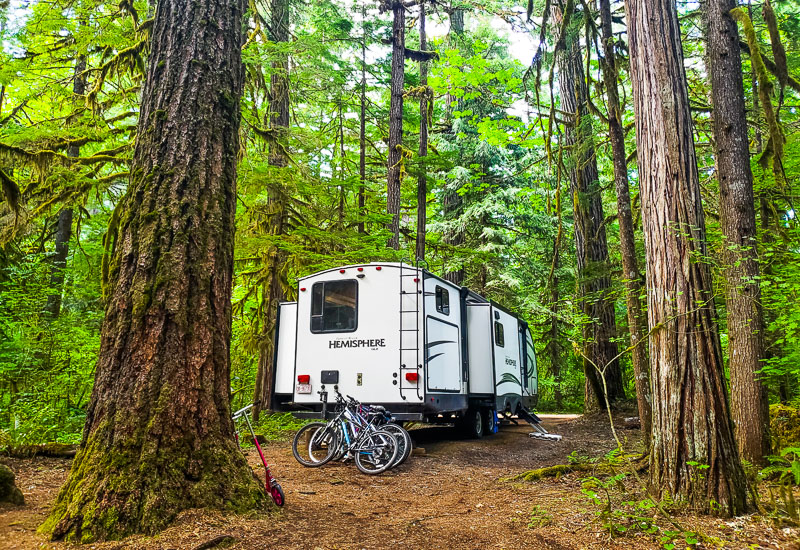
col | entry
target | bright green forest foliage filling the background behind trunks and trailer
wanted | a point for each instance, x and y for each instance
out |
(498, 206)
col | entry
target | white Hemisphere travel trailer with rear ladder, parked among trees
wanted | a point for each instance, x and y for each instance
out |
(396, 335)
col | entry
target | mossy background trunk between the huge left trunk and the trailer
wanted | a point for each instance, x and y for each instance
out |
(272, 292)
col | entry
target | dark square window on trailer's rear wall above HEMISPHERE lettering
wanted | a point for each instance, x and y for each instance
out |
(334, 306)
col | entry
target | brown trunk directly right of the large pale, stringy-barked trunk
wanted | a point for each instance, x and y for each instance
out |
(749, 406)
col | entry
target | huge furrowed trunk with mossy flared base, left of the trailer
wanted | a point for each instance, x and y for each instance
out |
(159, 437)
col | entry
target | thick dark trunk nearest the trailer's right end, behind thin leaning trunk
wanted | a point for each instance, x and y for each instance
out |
(594, 280)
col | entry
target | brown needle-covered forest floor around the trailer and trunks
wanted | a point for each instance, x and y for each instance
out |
(451, 494)
